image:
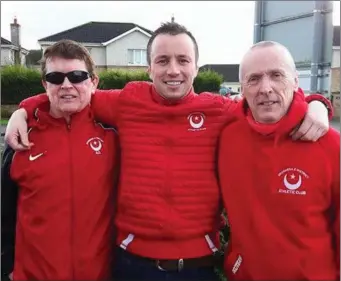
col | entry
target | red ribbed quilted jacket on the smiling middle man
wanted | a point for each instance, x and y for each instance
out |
(169, 199)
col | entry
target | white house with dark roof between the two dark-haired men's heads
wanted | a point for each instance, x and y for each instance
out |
(111, 44)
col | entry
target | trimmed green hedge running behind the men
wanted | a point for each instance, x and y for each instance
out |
(18, 83)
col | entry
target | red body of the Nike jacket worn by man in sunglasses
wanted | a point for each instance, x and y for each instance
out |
(65, 203)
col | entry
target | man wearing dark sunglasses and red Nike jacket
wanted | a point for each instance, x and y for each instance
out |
(56, 198)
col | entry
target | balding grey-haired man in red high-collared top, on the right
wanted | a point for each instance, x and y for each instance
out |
(282, 197)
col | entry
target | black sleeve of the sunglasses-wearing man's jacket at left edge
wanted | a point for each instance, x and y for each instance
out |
(9, 195)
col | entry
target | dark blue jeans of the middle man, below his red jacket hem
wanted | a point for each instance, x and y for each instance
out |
(129, 267)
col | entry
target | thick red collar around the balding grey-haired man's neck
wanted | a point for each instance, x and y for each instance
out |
(294, 116)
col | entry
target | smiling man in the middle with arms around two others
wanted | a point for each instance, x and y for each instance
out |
(168, 213)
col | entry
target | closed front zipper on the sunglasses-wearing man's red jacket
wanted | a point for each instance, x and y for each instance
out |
(71, 205)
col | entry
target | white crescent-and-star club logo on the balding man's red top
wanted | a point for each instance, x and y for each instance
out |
(292, 179)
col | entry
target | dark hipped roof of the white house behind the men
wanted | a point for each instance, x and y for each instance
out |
(94, 32)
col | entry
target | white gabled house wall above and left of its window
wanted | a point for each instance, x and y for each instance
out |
(117, 52)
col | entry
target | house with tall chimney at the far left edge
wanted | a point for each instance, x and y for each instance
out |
(11, 51)
